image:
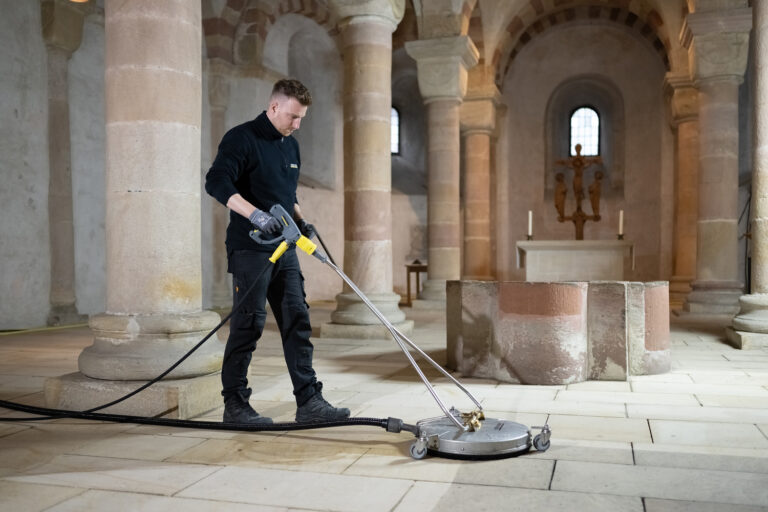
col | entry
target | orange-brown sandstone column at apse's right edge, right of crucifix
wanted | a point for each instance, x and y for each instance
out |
(684, 107)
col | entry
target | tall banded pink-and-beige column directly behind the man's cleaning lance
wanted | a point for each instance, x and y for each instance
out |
(366, 32)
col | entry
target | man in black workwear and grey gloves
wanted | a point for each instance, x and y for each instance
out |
(257, 166)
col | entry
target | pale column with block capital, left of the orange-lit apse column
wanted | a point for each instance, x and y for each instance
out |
(442, 66)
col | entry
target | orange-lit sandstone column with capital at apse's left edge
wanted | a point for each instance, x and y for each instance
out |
(478, 123)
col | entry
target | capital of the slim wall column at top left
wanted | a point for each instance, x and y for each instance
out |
(62, 24)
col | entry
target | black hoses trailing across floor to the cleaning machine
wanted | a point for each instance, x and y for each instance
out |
(390, 424)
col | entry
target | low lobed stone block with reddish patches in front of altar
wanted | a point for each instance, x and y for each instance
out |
(557, 333)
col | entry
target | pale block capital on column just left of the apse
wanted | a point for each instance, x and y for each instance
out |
(442, 66)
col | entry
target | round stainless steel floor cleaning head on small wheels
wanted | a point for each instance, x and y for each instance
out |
(496, 439)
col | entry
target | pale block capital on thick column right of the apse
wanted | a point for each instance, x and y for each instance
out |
(717, 42)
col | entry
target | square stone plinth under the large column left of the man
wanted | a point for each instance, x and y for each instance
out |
(178, 399)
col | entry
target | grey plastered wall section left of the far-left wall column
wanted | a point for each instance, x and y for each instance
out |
(24, 246)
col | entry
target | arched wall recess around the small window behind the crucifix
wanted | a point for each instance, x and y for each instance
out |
(605, 97)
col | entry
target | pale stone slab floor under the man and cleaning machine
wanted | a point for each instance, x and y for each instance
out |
(695, 439)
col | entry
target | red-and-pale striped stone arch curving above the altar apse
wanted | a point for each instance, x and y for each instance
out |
(535, 18)
